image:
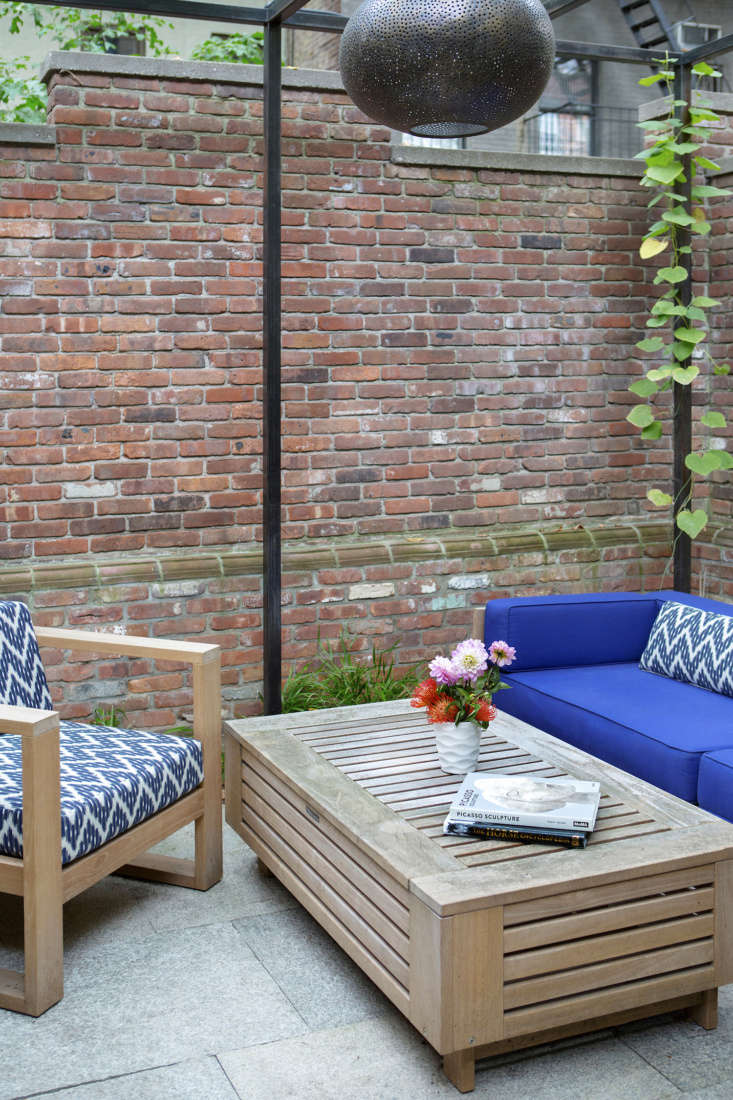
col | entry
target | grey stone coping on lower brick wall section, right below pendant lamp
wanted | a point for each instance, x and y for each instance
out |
(517, 162)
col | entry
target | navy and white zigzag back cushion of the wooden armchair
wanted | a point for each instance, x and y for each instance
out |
(23, 679)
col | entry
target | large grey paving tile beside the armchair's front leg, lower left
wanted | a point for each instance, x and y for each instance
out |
(139, 1005)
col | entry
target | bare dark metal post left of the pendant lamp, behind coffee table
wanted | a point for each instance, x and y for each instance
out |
(271, 371)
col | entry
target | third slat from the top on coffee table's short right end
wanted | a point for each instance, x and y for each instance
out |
(615, 945)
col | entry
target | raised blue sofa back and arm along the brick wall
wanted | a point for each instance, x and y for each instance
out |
(571, 631)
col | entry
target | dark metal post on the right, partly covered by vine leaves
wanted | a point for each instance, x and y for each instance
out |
(683, 395)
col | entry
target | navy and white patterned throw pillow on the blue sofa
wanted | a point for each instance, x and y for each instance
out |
(692, 645)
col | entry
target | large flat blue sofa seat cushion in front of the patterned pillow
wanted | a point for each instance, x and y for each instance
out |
(646, 724)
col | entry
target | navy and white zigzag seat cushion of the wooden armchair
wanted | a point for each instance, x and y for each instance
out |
(111, 780)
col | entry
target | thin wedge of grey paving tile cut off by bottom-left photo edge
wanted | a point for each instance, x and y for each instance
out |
(201, 1080)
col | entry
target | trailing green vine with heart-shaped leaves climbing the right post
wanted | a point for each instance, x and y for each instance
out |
(676, 142)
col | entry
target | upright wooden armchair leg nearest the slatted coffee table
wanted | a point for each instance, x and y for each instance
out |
(207, 729)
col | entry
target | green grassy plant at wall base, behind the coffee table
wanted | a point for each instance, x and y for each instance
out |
(338, 677)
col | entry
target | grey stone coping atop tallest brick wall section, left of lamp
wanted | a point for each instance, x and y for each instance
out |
(81, 61)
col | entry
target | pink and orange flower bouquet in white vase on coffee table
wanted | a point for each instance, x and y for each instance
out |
(458, 694)
